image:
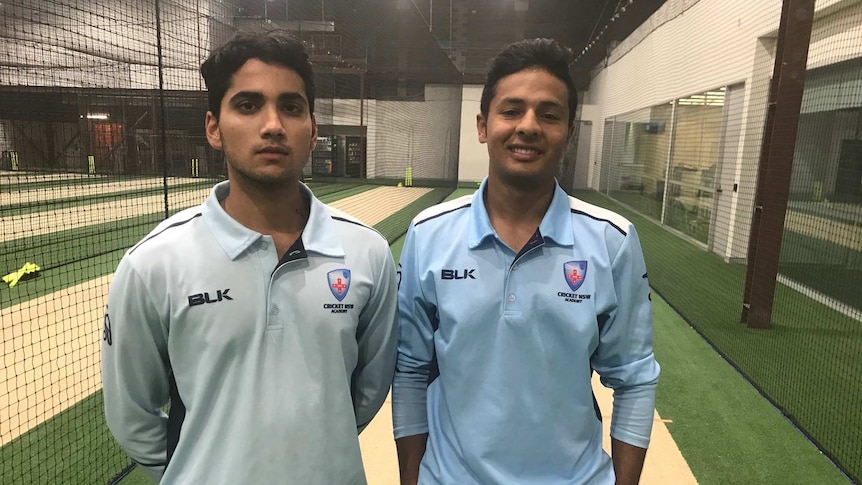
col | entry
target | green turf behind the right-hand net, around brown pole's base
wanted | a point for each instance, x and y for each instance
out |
(808, 363)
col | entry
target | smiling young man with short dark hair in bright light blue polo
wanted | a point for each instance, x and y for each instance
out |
(510, 298)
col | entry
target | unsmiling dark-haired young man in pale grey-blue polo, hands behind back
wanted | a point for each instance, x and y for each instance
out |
(264, 317)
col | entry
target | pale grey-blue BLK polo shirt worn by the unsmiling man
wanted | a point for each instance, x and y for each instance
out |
(272, 367)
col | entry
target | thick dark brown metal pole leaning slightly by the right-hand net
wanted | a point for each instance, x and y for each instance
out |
(776, 161)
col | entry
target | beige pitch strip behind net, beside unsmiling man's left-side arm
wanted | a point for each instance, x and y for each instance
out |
(51, 355)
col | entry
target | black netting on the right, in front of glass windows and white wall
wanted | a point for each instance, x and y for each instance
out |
(679, 148)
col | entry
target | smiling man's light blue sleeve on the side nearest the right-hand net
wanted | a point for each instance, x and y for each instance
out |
(624, 359)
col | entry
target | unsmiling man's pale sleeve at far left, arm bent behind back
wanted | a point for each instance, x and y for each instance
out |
(135, 372)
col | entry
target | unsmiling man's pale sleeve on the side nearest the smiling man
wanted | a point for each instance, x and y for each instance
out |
(378, 342)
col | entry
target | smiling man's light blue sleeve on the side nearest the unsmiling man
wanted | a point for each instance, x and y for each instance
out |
(415, 347)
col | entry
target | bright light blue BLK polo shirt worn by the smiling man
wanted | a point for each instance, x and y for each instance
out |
(497, 348)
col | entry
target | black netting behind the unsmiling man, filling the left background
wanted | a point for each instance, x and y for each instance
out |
(102, 136)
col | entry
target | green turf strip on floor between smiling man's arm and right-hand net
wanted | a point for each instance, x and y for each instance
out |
(723, 427)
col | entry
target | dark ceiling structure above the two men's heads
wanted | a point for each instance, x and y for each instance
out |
(436, 39)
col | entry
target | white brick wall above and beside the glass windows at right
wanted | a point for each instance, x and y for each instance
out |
(691, 46)
